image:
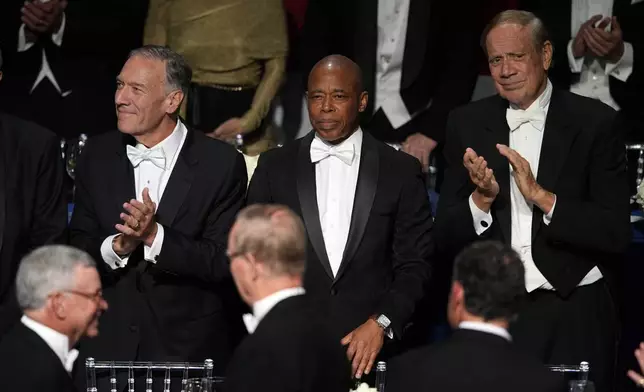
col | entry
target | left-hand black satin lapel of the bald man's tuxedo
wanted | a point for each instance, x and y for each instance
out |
(307, 194)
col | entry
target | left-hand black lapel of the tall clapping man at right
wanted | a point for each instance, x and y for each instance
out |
(500, 134)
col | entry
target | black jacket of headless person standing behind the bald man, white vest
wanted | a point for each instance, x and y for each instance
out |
(440, 57)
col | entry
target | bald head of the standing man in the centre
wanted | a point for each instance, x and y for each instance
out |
(335, 97)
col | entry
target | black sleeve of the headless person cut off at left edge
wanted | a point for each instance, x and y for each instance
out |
(50, 208)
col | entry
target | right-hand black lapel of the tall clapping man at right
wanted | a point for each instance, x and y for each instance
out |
(558, 136)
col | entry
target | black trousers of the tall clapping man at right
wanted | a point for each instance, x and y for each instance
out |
(582, 327)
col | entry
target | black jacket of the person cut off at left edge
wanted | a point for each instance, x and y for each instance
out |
(33, 211)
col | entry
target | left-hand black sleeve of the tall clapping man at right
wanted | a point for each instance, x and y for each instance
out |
(454, 222)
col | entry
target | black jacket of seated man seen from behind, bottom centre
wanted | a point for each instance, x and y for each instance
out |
(292, 349)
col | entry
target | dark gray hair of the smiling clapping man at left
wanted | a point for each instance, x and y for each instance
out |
(178, 73)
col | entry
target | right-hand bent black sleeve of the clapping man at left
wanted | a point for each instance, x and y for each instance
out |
(204, 257)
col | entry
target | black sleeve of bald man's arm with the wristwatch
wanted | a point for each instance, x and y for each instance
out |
(412, 251)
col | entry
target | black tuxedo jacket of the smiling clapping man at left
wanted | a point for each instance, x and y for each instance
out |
(179, 307)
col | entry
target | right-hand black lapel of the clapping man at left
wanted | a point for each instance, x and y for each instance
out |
(179, 182)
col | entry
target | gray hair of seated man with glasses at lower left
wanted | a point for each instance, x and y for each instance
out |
(47, 270)
